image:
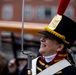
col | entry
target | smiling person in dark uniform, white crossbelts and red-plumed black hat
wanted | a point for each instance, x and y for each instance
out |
(57, 39)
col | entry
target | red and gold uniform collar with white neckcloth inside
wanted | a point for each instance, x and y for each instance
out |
(54, 58)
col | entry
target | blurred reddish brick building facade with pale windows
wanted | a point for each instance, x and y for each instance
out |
(35, 10)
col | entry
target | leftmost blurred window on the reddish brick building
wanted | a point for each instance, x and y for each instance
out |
(7, 12)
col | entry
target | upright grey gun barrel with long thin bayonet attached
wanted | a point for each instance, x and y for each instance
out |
(29, 54)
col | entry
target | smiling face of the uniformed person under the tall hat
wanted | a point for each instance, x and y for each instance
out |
(48, 46)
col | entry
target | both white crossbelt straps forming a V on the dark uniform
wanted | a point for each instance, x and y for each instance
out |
(52, 69)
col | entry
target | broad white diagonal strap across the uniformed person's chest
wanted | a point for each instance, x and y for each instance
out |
(55, 68)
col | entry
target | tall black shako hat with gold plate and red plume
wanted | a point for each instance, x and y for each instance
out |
(61, 27)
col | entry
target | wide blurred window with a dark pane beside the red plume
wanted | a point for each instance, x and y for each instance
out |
(45, 12)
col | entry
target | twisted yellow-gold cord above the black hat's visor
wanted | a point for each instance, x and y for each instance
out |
(56, 34)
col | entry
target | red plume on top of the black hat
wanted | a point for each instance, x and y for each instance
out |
(62, 6)
